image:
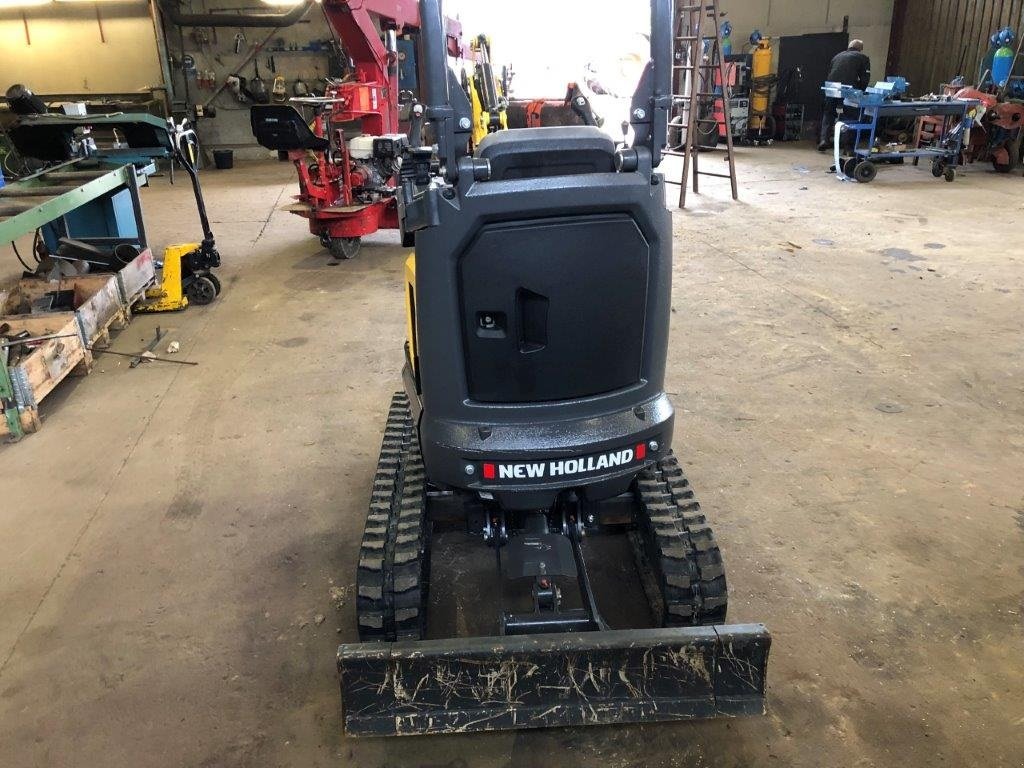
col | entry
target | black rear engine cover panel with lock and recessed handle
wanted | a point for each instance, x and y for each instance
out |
(553, 310)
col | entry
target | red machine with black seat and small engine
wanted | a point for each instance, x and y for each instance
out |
(346, 158)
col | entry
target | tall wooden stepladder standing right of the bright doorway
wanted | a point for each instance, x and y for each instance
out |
(694, 87)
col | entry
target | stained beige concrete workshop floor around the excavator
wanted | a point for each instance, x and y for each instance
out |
(179, 543)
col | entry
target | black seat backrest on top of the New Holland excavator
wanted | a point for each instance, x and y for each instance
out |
(556, 151)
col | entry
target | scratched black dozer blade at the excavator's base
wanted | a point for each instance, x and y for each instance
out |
(537, 681)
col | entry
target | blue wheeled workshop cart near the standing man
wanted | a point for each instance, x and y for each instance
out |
(862, 160)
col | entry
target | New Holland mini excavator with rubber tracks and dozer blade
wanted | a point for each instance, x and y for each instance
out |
(535, 436)
